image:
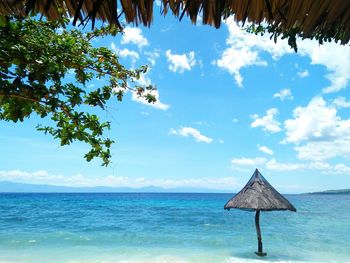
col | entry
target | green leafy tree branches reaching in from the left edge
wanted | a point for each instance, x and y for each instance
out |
(35, 59)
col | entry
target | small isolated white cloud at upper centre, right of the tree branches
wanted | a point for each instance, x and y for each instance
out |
(180, 63)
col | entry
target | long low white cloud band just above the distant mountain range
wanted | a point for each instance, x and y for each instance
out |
(78, 180)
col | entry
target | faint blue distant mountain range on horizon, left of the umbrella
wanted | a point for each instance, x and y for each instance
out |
(12, 187)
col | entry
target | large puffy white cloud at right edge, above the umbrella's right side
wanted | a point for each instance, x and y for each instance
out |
(324, 134)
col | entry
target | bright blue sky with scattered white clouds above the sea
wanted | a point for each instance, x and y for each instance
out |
(228, 102)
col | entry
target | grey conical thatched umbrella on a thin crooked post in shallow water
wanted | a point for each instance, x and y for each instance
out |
(258, 195)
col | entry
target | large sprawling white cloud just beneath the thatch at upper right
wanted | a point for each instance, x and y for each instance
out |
(244, 49)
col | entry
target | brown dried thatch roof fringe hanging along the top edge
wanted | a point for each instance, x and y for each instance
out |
(310, 18)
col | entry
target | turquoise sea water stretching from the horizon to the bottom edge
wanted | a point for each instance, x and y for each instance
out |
(174, 228)
